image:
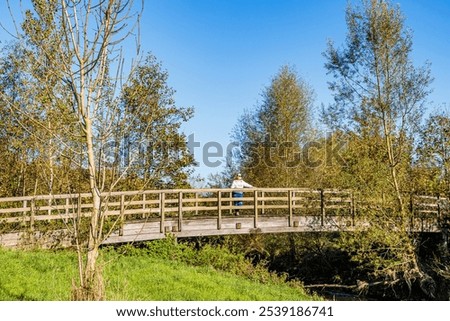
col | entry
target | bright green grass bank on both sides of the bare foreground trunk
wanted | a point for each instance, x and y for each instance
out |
(47, 276)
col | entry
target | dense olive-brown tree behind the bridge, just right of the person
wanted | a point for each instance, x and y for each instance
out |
(272, 135)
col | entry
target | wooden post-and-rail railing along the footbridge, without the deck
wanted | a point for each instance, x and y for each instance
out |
(34, 211)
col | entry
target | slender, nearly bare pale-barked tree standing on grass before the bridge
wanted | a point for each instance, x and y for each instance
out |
(88, 37)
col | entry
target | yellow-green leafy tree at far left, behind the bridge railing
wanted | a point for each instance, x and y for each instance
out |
(37, 104)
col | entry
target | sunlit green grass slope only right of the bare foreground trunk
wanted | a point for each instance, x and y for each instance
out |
(173, 281)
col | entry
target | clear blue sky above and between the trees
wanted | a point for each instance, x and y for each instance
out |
(220, 54)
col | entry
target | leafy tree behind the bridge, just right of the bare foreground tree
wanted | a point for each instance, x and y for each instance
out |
(154, 147)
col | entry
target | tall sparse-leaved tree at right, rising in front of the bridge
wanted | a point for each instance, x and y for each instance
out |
(379, 97)
